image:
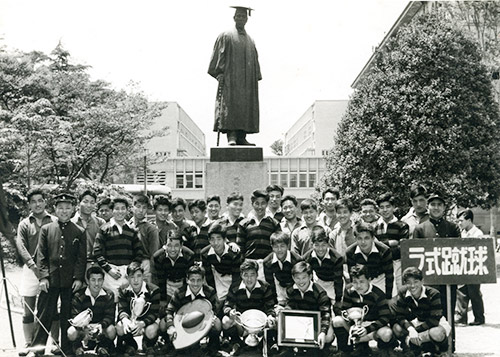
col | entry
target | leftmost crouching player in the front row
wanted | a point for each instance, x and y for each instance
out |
(102, 304)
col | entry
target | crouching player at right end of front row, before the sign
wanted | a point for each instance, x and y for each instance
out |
(420, 321)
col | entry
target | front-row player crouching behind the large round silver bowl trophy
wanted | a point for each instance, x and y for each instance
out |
(250, 294)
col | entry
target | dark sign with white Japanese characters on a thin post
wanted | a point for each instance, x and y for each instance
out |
(451, 261)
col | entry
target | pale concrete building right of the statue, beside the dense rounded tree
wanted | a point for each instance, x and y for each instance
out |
(312, 134)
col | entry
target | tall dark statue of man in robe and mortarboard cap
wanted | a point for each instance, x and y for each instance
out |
(235, 65)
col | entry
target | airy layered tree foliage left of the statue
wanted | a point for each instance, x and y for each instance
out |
(58, 124)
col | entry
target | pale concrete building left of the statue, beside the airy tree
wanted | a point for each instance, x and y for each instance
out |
(177, 135)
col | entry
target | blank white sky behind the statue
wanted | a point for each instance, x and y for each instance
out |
(308, 50)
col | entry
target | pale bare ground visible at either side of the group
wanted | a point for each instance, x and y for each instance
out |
(471, 341)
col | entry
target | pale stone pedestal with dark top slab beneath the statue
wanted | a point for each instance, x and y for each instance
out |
(236, 169)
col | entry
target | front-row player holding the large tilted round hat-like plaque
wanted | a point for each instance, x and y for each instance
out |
(195, 289)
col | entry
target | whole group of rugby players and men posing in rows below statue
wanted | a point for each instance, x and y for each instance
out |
(108, 258)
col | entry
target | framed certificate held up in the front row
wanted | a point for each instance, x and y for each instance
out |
(299, 328)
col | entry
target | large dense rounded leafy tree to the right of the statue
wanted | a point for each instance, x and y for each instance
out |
(425, 113)
